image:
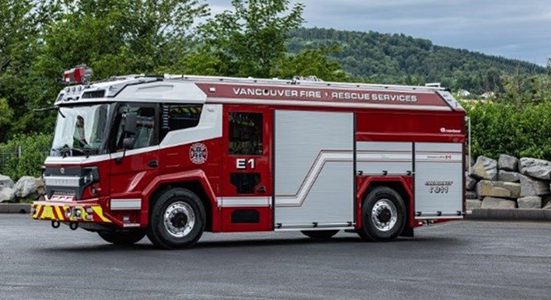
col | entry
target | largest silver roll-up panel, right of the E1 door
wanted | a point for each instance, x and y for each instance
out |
(314, 172)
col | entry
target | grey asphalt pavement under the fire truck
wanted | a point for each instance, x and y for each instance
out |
(456, 260)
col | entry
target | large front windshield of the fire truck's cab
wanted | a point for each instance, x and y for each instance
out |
(81, 130)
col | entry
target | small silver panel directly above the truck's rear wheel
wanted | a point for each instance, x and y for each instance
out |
(376, 158)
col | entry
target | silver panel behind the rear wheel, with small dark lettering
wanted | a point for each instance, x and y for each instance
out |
(438, 180)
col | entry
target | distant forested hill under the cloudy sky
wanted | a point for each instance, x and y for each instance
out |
(397, 58)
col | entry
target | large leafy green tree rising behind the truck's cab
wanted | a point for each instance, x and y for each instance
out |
(114, 37)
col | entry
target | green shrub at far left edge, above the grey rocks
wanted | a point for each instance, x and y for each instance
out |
(24, 155)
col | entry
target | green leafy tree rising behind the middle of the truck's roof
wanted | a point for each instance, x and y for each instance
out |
(250, 39)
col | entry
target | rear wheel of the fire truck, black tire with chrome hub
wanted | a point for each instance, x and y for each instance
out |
(383, 215)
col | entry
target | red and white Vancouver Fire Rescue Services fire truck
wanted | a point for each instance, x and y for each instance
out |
(173, 156)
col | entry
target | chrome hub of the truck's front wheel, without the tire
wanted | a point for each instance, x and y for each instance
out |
(179, 219)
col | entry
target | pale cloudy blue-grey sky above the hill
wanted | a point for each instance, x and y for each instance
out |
(519, 29)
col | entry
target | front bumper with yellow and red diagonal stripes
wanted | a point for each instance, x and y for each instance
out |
(68, 212)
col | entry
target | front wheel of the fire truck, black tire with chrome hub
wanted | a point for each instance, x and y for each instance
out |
(177, 219)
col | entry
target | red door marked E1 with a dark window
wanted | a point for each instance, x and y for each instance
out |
(246, 197)
